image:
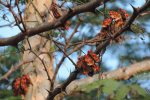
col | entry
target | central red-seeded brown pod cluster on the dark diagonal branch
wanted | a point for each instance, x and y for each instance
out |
(87, 64)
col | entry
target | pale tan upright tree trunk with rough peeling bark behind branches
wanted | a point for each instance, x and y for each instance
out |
(35, 70)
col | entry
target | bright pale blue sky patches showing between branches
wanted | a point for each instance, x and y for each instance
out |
(64, 71)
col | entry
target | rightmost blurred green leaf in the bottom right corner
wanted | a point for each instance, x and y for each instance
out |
(139, 90)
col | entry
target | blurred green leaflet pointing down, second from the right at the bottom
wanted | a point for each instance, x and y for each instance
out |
(122, 92)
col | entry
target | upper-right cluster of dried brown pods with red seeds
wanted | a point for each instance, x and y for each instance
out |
(113, 23)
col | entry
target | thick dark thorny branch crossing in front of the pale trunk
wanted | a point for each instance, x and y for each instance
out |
(88, 7)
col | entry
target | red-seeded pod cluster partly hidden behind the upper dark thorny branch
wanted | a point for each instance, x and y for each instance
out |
(57, 12)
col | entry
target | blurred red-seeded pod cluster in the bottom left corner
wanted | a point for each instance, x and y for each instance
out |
(20, 85)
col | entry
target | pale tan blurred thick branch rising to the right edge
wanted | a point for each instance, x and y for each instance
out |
(121, 73)
